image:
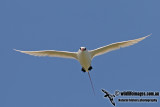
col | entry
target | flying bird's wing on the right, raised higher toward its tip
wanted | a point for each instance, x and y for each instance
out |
(114, 46)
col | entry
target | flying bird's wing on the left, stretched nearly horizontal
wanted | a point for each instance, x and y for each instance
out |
(51, 53)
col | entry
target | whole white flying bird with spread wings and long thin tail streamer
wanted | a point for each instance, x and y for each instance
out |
(83, 55)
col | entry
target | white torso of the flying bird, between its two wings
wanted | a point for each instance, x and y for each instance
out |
(84, 57)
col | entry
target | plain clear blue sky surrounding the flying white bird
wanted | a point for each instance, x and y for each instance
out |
(28, 81)
